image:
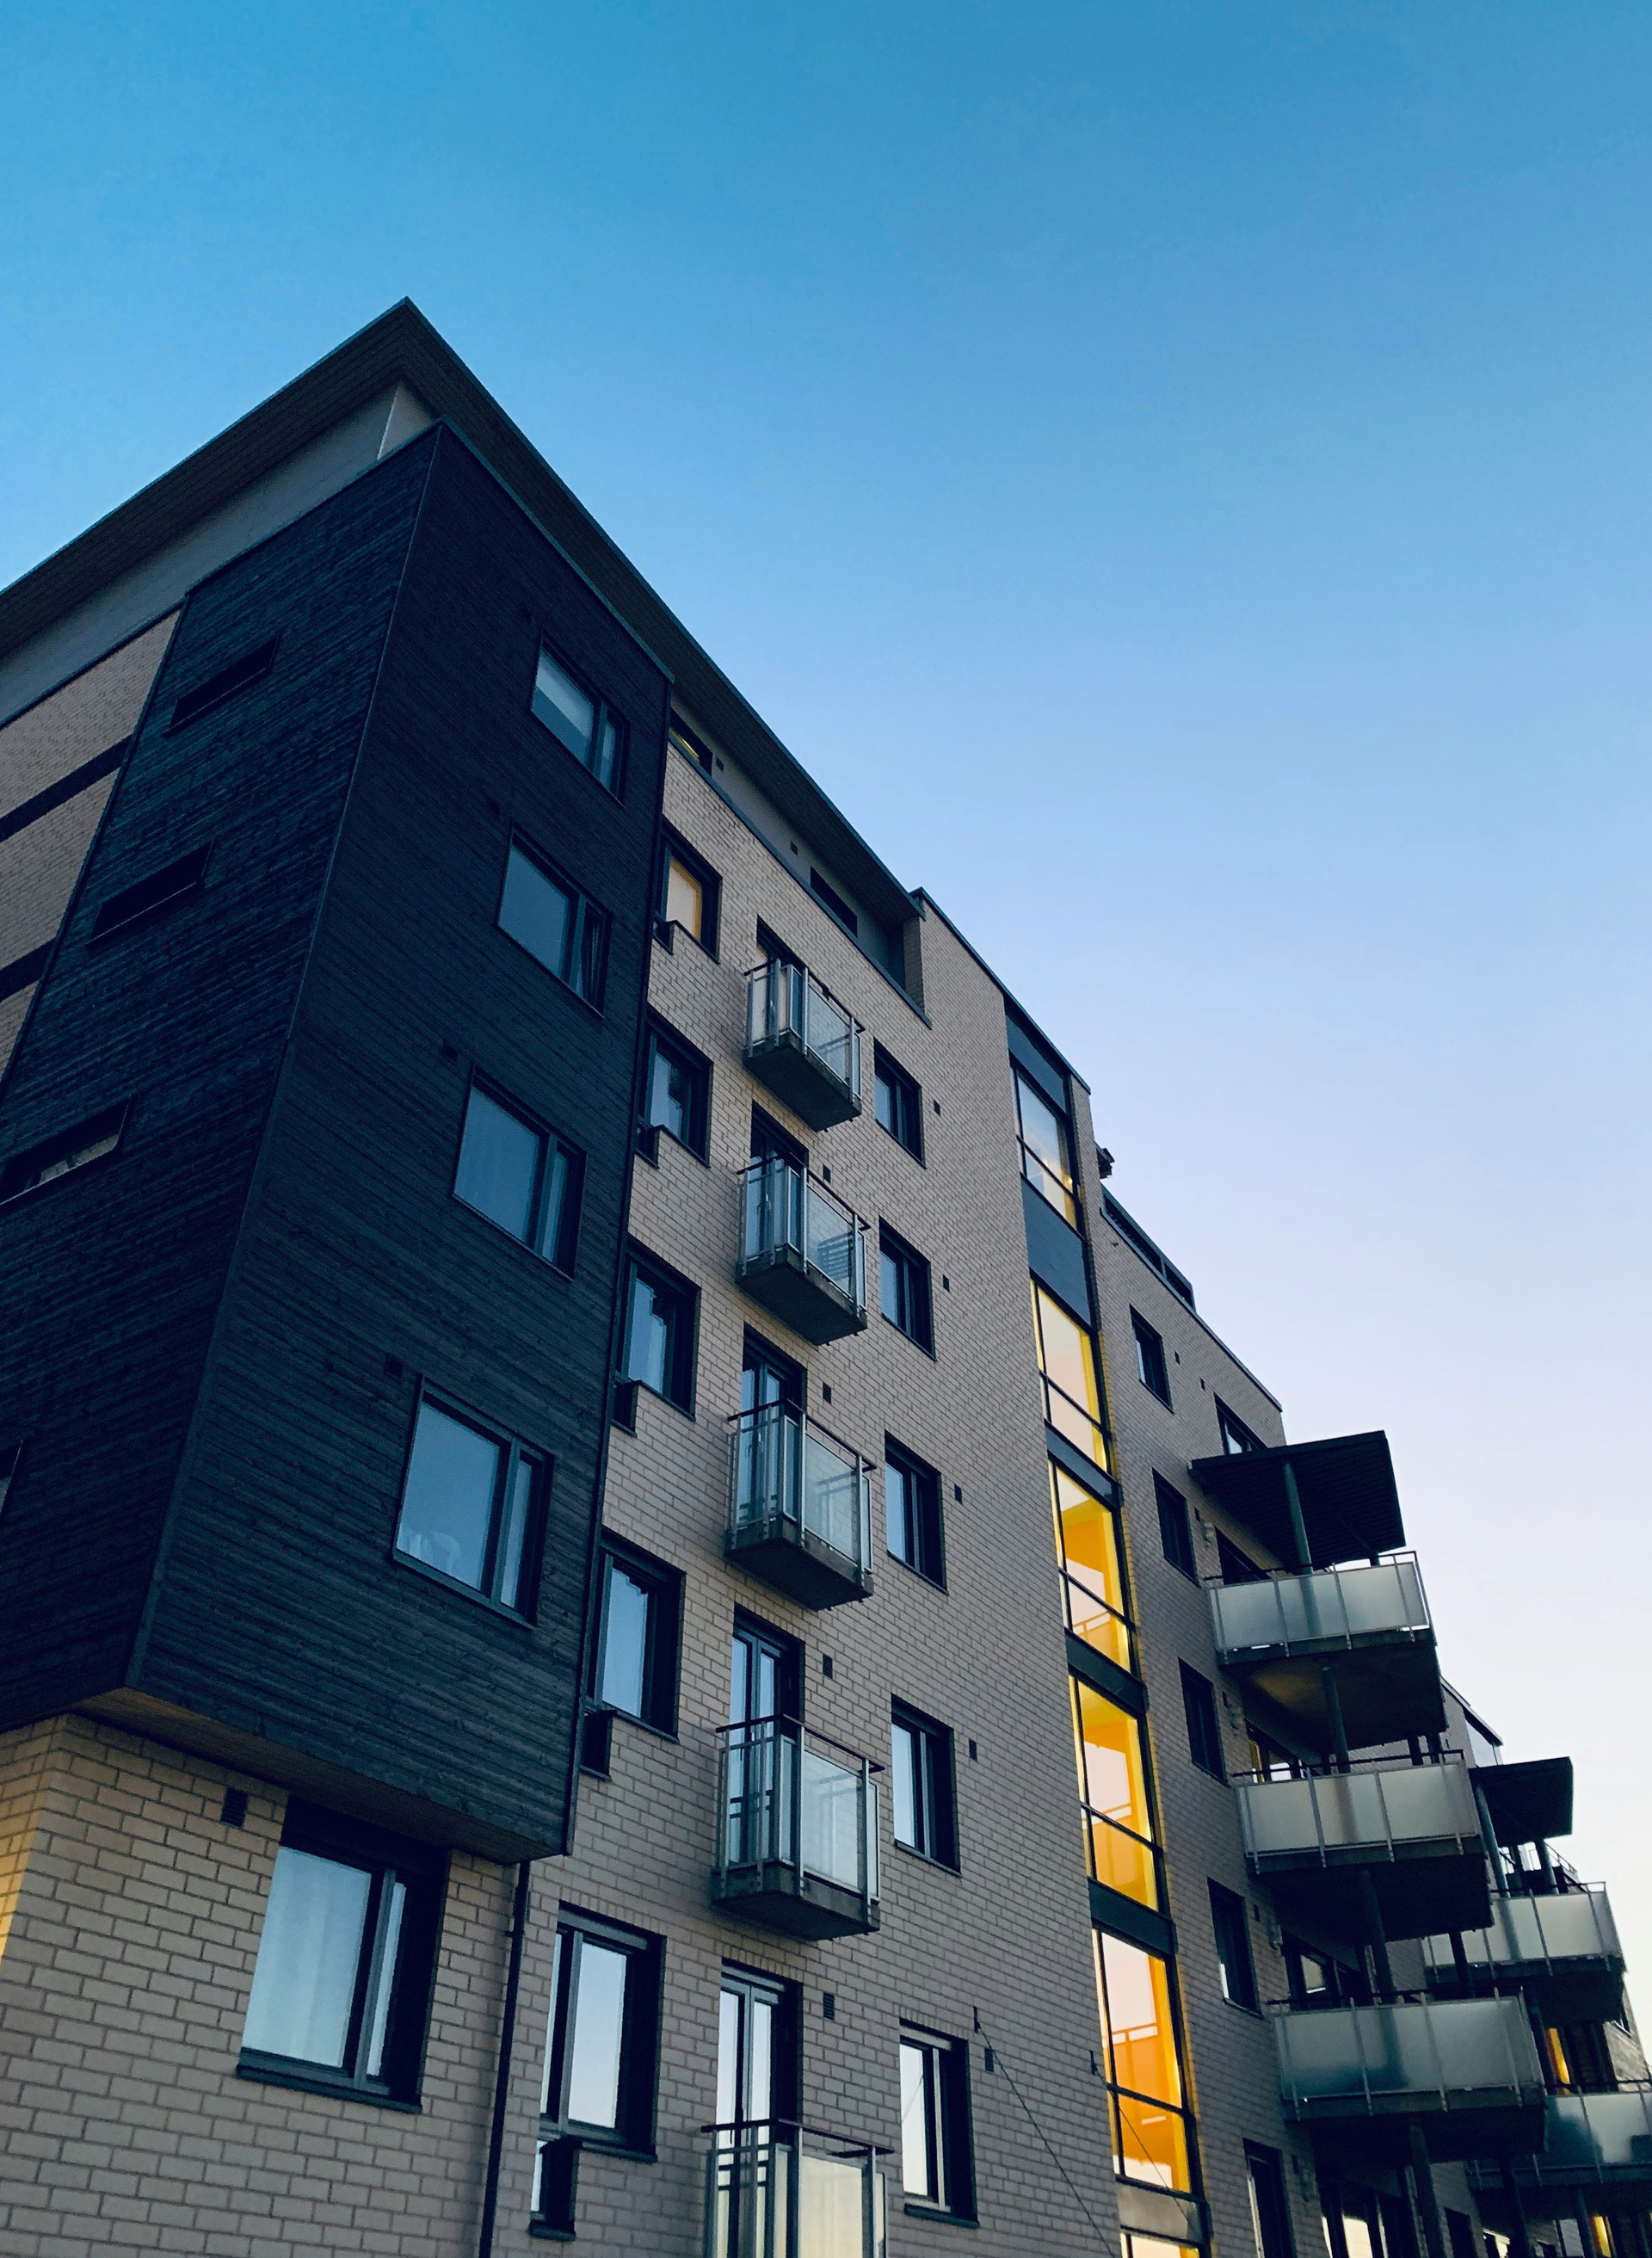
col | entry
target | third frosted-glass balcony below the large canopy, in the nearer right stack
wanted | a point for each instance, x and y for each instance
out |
(1466, 2072)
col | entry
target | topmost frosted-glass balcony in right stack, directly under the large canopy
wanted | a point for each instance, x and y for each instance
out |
(1367, 1629)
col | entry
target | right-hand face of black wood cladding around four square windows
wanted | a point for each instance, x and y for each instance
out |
(283, 1609)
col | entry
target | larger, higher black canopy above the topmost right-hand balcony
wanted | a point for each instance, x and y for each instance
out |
(1346, 1489)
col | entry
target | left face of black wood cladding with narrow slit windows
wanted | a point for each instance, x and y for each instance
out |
(114, 1279)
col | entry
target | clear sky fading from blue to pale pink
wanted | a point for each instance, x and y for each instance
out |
(1181, 478)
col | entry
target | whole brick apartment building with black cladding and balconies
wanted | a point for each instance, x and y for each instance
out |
(638, 1611)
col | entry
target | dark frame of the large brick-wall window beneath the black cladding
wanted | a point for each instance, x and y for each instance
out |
(423, 1873)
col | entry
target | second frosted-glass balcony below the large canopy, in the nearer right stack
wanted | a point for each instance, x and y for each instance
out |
(1412, 1828)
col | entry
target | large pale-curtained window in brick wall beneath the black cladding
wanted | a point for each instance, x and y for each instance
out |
(344, 1963)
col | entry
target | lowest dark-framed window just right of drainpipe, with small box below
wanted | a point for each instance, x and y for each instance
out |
(601, 2054)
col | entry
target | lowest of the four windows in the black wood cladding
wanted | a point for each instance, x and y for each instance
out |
(473, 1505)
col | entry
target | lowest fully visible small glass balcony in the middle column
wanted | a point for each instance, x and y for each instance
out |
(798, 1832)
